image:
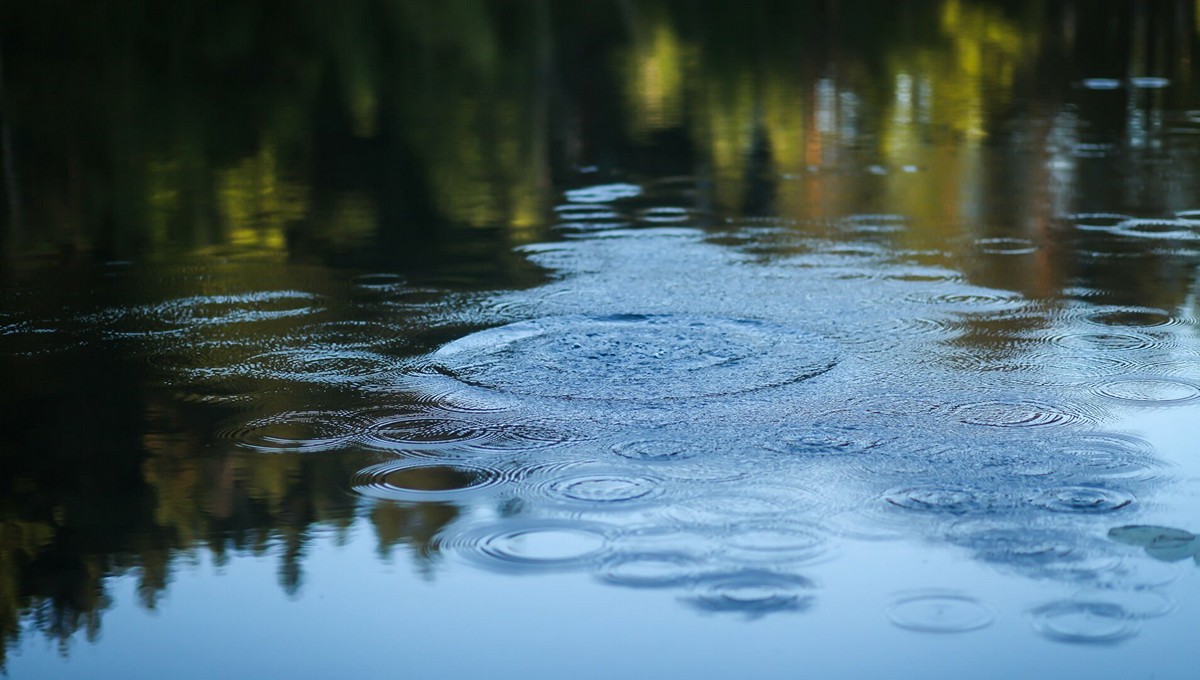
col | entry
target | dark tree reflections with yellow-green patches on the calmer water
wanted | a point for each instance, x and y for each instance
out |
(373, 130)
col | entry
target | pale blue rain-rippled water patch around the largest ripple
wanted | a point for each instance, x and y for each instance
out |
(735, 430)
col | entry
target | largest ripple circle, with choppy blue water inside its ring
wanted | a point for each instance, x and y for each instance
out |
(635, 357)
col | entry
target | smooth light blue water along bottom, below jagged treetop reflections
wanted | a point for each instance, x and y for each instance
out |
(363, 618)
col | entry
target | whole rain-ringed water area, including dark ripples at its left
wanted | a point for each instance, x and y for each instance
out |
(717, 416)
